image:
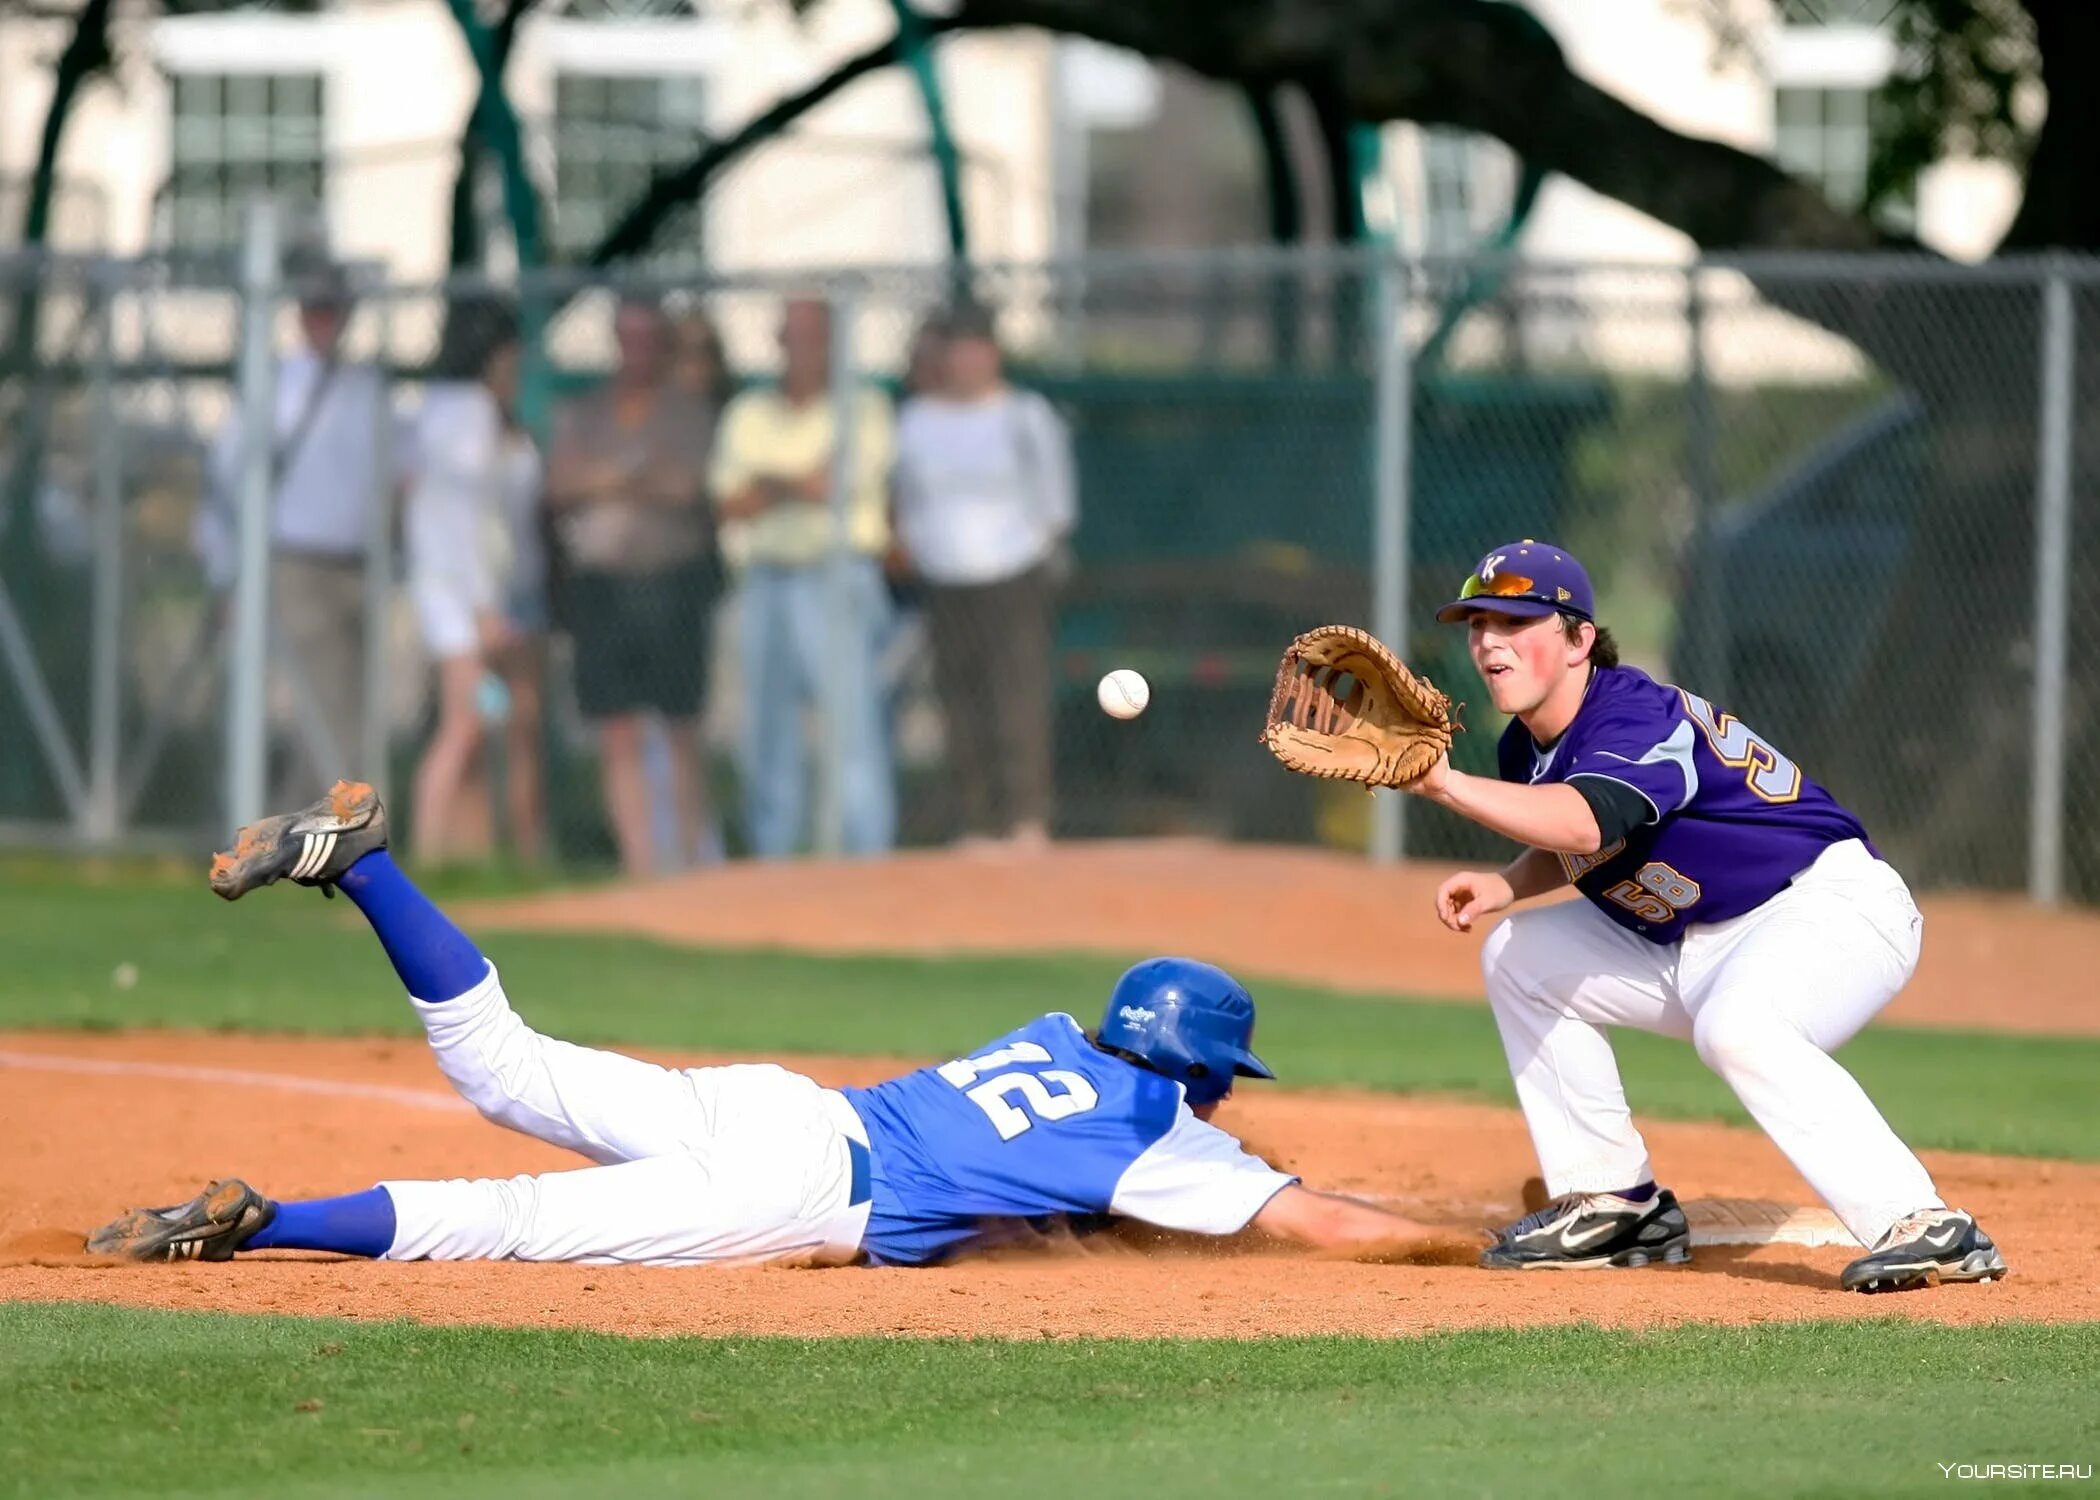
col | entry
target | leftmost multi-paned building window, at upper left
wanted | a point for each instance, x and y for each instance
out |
(238, 136)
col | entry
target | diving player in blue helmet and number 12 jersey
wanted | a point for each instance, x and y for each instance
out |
(759, 1165)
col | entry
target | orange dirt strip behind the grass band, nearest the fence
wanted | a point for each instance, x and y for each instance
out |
(1990, 963)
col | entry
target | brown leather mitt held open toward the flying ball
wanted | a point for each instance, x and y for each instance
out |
(1345, 707)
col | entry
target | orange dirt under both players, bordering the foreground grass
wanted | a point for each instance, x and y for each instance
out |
(102, 1123)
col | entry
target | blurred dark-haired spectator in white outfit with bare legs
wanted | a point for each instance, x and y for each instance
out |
(476, 572)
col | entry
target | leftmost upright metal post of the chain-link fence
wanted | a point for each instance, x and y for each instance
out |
(106, 652)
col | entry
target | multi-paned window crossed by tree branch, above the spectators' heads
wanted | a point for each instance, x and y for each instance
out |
(612, 136)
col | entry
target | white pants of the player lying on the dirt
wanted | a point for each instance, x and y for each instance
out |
(698, 1167)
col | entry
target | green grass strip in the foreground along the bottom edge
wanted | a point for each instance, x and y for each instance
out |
(215, 1404)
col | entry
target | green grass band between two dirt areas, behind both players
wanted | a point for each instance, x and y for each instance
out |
(291, 963)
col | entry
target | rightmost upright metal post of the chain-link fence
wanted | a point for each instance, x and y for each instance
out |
(2053, 596)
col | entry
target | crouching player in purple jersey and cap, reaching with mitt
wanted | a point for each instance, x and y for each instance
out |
(1729, 902)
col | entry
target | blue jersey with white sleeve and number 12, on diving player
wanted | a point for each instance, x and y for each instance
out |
(1043, 1127)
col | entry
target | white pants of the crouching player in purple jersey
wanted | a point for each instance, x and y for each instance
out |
(1765, 997)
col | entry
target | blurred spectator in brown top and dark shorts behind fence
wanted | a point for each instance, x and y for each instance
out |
(627, 472)
